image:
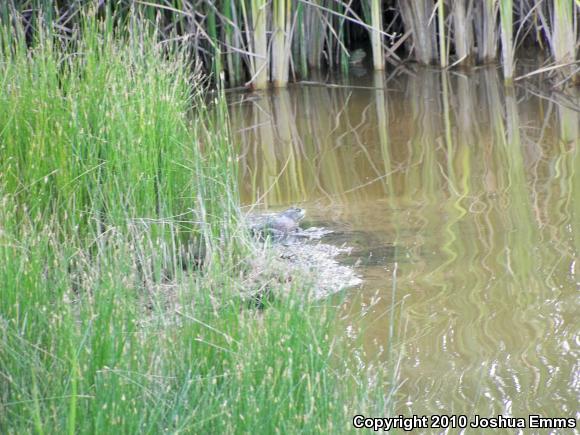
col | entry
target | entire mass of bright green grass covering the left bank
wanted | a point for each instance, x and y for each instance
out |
(115, 169)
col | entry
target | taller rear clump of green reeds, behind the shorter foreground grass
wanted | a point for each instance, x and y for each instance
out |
(97, 140)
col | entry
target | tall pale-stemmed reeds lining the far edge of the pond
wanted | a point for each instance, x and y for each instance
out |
(255, 41)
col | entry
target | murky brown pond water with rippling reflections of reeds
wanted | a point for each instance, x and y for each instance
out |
(469, 196)
